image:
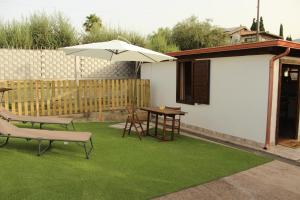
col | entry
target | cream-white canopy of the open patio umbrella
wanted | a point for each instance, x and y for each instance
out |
(116, 50)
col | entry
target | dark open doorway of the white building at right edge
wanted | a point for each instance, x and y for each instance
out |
(287, 127)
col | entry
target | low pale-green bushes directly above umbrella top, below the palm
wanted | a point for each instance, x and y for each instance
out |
(100, 34)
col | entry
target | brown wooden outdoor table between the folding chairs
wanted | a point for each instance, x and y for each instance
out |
(166, 113)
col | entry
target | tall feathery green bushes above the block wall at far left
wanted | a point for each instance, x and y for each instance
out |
(39, 31)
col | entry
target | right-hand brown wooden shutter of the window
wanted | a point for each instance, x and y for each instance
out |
(201, 81)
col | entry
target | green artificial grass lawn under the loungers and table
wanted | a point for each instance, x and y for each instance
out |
(119, 168)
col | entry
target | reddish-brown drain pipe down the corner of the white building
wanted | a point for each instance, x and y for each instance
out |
(270, 94)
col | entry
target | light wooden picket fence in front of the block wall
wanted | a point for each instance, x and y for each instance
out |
(63, 97)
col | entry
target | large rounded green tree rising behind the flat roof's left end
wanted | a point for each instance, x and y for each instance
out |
(191, 34)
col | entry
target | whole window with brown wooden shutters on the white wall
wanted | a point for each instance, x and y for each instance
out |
(193, 79)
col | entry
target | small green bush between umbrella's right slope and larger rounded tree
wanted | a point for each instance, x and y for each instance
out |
(161, 41)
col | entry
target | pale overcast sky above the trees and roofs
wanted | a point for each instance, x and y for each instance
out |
(146, 16)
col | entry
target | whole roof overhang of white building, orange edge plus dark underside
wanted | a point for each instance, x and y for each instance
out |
(273, 47)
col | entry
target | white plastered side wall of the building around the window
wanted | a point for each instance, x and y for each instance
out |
(238, 95)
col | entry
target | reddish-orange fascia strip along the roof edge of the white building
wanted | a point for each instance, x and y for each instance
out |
(237, 47)
